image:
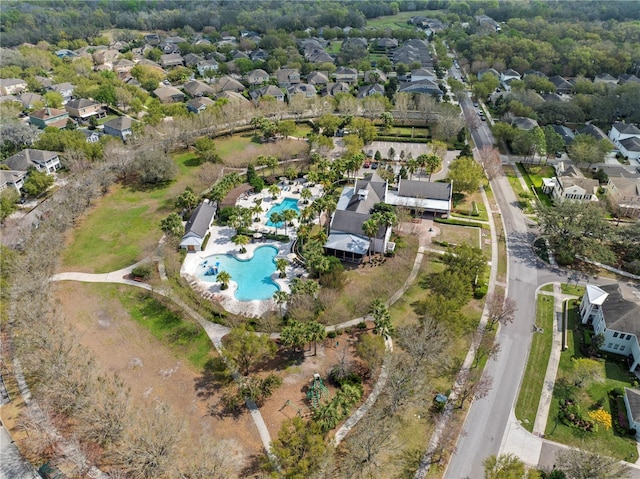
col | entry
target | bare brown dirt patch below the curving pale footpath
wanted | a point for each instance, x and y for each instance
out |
(151, 370)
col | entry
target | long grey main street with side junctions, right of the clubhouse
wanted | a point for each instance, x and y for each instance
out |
(490, 426)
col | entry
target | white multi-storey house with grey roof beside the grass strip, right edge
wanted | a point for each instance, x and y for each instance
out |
(613, 313)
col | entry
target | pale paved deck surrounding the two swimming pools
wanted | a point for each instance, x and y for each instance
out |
(220, 243)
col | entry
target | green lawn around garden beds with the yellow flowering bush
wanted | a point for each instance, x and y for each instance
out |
(614, 375)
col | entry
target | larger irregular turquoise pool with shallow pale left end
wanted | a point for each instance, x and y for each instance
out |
(252, 275)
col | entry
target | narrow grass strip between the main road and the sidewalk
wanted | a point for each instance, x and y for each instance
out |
(533, 380)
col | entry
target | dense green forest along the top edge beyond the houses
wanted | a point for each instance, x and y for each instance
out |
(56, 20)
